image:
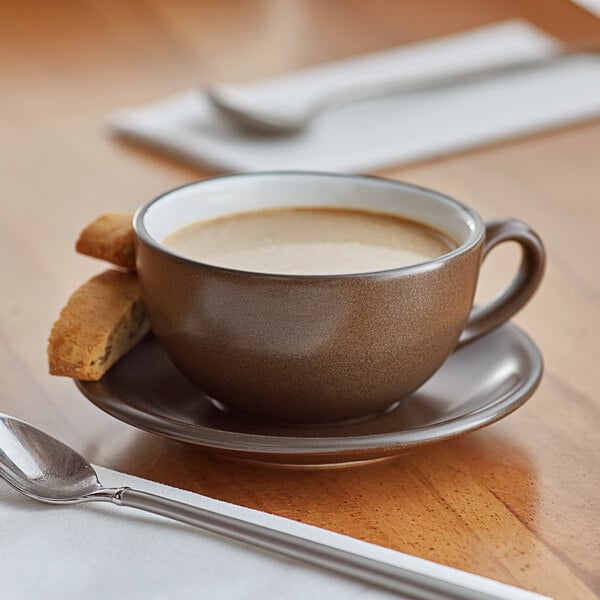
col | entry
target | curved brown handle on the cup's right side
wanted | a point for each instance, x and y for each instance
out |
(533, 259)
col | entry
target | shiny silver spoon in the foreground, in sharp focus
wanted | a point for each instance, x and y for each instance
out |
(43, 468)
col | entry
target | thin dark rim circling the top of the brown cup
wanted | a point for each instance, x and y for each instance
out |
(474, 239)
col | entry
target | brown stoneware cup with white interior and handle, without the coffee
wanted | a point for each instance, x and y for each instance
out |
(321, 348)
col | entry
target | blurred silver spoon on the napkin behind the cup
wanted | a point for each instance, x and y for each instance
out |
(264, 113)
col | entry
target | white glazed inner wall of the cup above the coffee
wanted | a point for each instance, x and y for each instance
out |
(220, 196)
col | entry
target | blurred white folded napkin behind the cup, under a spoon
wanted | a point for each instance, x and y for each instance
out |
(382, 132)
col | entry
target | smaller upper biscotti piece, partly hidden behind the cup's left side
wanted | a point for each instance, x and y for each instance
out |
(109, 237)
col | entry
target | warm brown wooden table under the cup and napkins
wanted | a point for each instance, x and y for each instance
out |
(517, 501)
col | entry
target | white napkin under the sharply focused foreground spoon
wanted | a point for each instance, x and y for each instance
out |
(99, 551)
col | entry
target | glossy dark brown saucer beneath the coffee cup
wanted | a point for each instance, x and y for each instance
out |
(478, 384)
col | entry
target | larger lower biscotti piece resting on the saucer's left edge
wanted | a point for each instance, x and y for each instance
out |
(102, 321)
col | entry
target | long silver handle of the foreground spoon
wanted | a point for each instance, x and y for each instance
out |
(410, 583)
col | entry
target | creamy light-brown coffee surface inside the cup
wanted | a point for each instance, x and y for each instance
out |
(309, 241)
